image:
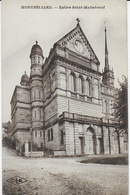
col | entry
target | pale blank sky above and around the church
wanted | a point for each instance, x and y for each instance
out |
(22, 27)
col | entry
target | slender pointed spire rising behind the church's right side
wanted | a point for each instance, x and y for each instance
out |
(108, 74)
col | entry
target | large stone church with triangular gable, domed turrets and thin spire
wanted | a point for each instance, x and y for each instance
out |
(65, 106)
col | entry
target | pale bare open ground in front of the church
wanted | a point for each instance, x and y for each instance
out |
(62, 176)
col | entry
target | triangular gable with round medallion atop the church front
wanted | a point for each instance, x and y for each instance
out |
(77, 42)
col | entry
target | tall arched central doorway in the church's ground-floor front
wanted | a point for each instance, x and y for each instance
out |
(90, 141)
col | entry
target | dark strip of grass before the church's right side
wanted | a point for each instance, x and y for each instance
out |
(112, 160)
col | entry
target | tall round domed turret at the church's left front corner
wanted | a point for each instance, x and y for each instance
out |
(36, 57)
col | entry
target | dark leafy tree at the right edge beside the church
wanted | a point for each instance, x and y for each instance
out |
(121, 104)
